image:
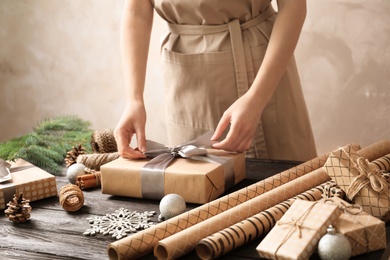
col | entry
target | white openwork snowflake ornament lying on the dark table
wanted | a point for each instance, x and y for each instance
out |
(119, 224)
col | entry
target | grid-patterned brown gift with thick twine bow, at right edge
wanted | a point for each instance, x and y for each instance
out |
(363, 182)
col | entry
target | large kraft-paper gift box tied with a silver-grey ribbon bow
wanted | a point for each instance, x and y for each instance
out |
(197, 175)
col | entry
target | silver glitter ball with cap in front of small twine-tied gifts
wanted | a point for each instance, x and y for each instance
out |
(334, 246)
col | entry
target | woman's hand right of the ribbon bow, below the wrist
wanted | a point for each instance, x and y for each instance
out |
(243, 117)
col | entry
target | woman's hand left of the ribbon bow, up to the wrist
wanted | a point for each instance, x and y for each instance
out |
(132, 122)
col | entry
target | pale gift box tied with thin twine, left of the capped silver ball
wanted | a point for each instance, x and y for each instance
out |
(296, 234)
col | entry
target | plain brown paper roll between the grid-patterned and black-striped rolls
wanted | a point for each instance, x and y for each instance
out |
(185, 241)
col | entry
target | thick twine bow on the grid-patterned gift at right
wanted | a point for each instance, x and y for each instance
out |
(368, 175)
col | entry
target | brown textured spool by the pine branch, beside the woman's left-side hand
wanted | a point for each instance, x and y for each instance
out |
(103, 141)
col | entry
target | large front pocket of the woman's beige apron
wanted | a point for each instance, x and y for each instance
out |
(199, 87)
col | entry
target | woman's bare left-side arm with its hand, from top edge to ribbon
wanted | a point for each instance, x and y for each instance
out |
(136, 26)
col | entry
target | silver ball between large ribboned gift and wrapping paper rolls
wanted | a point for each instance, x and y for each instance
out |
(171, 205)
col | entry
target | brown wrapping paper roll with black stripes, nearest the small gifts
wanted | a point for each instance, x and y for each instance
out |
(258, 225)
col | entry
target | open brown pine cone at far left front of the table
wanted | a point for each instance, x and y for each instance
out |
(18, 209)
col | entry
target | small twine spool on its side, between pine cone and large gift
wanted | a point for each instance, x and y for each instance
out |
(71, 197)
